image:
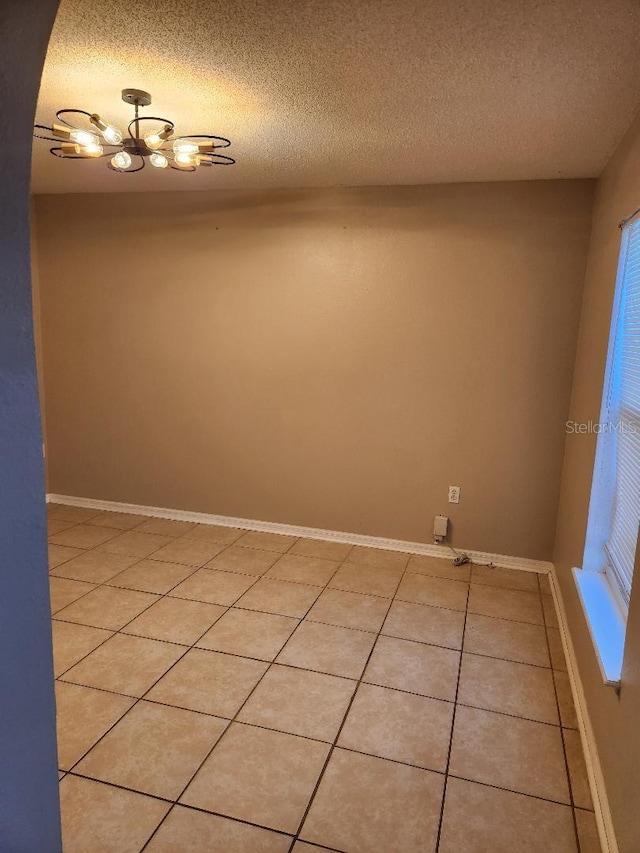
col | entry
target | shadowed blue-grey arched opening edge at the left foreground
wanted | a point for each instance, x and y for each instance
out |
(29, 808)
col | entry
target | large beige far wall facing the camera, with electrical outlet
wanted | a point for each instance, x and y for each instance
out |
(325, 358)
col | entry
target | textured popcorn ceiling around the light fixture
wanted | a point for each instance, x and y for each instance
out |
(353, 92)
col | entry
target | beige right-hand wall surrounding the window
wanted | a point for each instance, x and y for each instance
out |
(616, 720)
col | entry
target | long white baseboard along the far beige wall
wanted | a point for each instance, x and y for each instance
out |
(423, 548)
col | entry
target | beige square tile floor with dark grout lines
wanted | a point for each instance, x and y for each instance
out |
(228, 691)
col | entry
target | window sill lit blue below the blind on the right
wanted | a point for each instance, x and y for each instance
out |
(605, 620)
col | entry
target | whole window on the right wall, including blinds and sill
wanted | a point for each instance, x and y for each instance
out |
(614, 511)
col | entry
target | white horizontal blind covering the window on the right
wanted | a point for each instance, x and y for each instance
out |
(620, 428)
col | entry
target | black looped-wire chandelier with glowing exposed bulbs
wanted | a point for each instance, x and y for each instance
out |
(81, 136)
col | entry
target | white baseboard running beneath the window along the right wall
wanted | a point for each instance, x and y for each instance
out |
(594, 769)
